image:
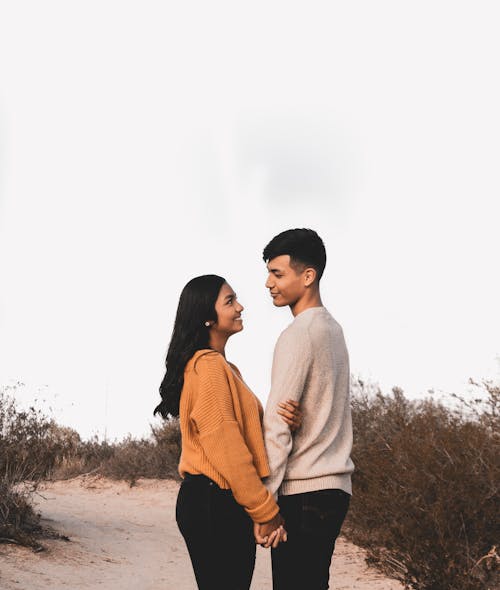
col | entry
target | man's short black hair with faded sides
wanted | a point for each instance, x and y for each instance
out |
(304, 247)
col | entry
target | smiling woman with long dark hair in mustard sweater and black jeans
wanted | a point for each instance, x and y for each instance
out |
(223, 460)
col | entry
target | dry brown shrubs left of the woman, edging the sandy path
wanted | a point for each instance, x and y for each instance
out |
(33, 447)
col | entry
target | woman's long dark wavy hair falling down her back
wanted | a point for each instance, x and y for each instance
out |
(196, 306)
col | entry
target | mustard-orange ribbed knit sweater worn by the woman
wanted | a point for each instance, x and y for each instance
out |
(221, 428)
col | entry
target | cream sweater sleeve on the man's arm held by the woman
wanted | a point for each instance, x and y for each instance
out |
(291, 362)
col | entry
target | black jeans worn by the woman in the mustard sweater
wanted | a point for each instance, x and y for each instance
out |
(218, 534)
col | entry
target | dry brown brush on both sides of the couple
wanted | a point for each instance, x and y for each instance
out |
(425, 497)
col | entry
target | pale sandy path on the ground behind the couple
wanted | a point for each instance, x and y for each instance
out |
(124, 538)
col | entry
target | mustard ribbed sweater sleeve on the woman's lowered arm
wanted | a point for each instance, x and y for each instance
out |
(222, 441)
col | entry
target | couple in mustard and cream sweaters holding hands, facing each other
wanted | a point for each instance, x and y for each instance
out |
(280, 478)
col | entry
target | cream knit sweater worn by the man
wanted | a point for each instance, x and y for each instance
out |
(310, 365)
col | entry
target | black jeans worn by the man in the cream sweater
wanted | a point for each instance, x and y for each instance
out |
(313, 521)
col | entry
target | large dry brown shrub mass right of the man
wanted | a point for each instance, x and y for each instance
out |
(425, 500)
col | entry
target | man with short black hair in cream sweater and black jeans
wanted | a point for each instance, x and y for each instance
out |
(311, 469)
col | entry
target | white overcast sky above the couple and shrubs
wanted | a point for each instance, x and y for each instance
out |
(144, 143)
